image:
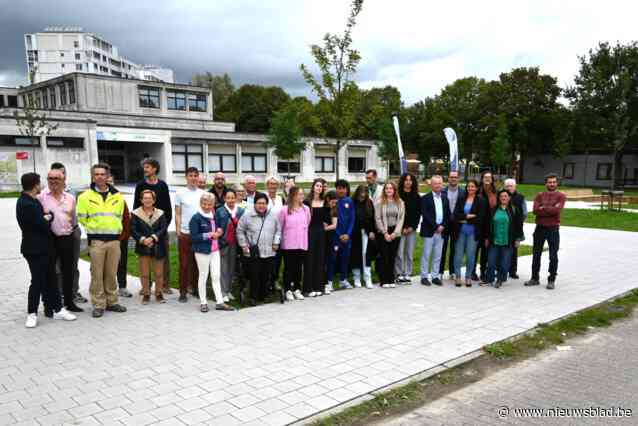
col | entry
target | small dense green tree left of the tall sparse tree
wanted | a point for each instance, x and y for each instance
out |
(285, 133)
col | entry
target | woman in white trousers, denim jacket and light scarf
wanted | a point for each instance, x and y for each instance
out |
(205, 239)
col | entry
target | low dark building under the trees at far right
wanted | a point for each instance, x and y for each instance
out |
(590, 170)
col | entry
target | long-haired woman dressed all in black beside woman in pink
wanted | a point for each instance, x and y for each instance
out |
(314, 268)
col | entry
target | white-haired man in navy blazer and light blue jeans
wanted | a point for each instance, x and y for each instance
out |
(435, 219)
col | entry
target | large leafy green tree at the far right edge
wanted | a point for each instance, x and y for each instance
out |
(605, 97)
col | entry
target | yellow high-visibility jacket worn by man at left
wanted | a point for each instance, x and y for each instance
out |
(101, 217)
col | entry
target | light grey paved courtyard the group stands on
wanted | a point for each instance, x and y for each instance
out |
(274, 364)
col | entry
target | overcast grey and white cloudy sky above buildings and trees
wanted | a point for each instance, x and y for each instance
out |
(418, 46)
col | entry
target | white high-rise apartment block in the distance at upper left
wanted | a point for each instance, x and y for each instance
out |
(62, 50)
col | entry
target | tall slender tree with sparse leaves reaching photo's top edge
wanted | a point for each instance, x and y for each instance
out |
(337, 62)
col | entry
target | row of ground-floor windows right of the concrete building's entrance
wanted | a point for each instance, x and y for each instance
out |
(185, 156)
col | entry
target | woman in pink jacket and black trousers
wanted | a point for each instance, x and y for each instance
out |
(294, 221)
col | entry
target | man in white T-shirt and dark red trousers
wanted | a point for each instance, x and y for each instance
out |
(186, 205)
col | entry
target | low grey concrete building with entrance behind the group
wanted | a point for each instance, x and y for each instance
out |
(121, 121)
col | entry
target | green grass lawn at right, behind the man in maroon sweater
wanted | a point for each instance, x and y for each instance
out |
(598, 219)
